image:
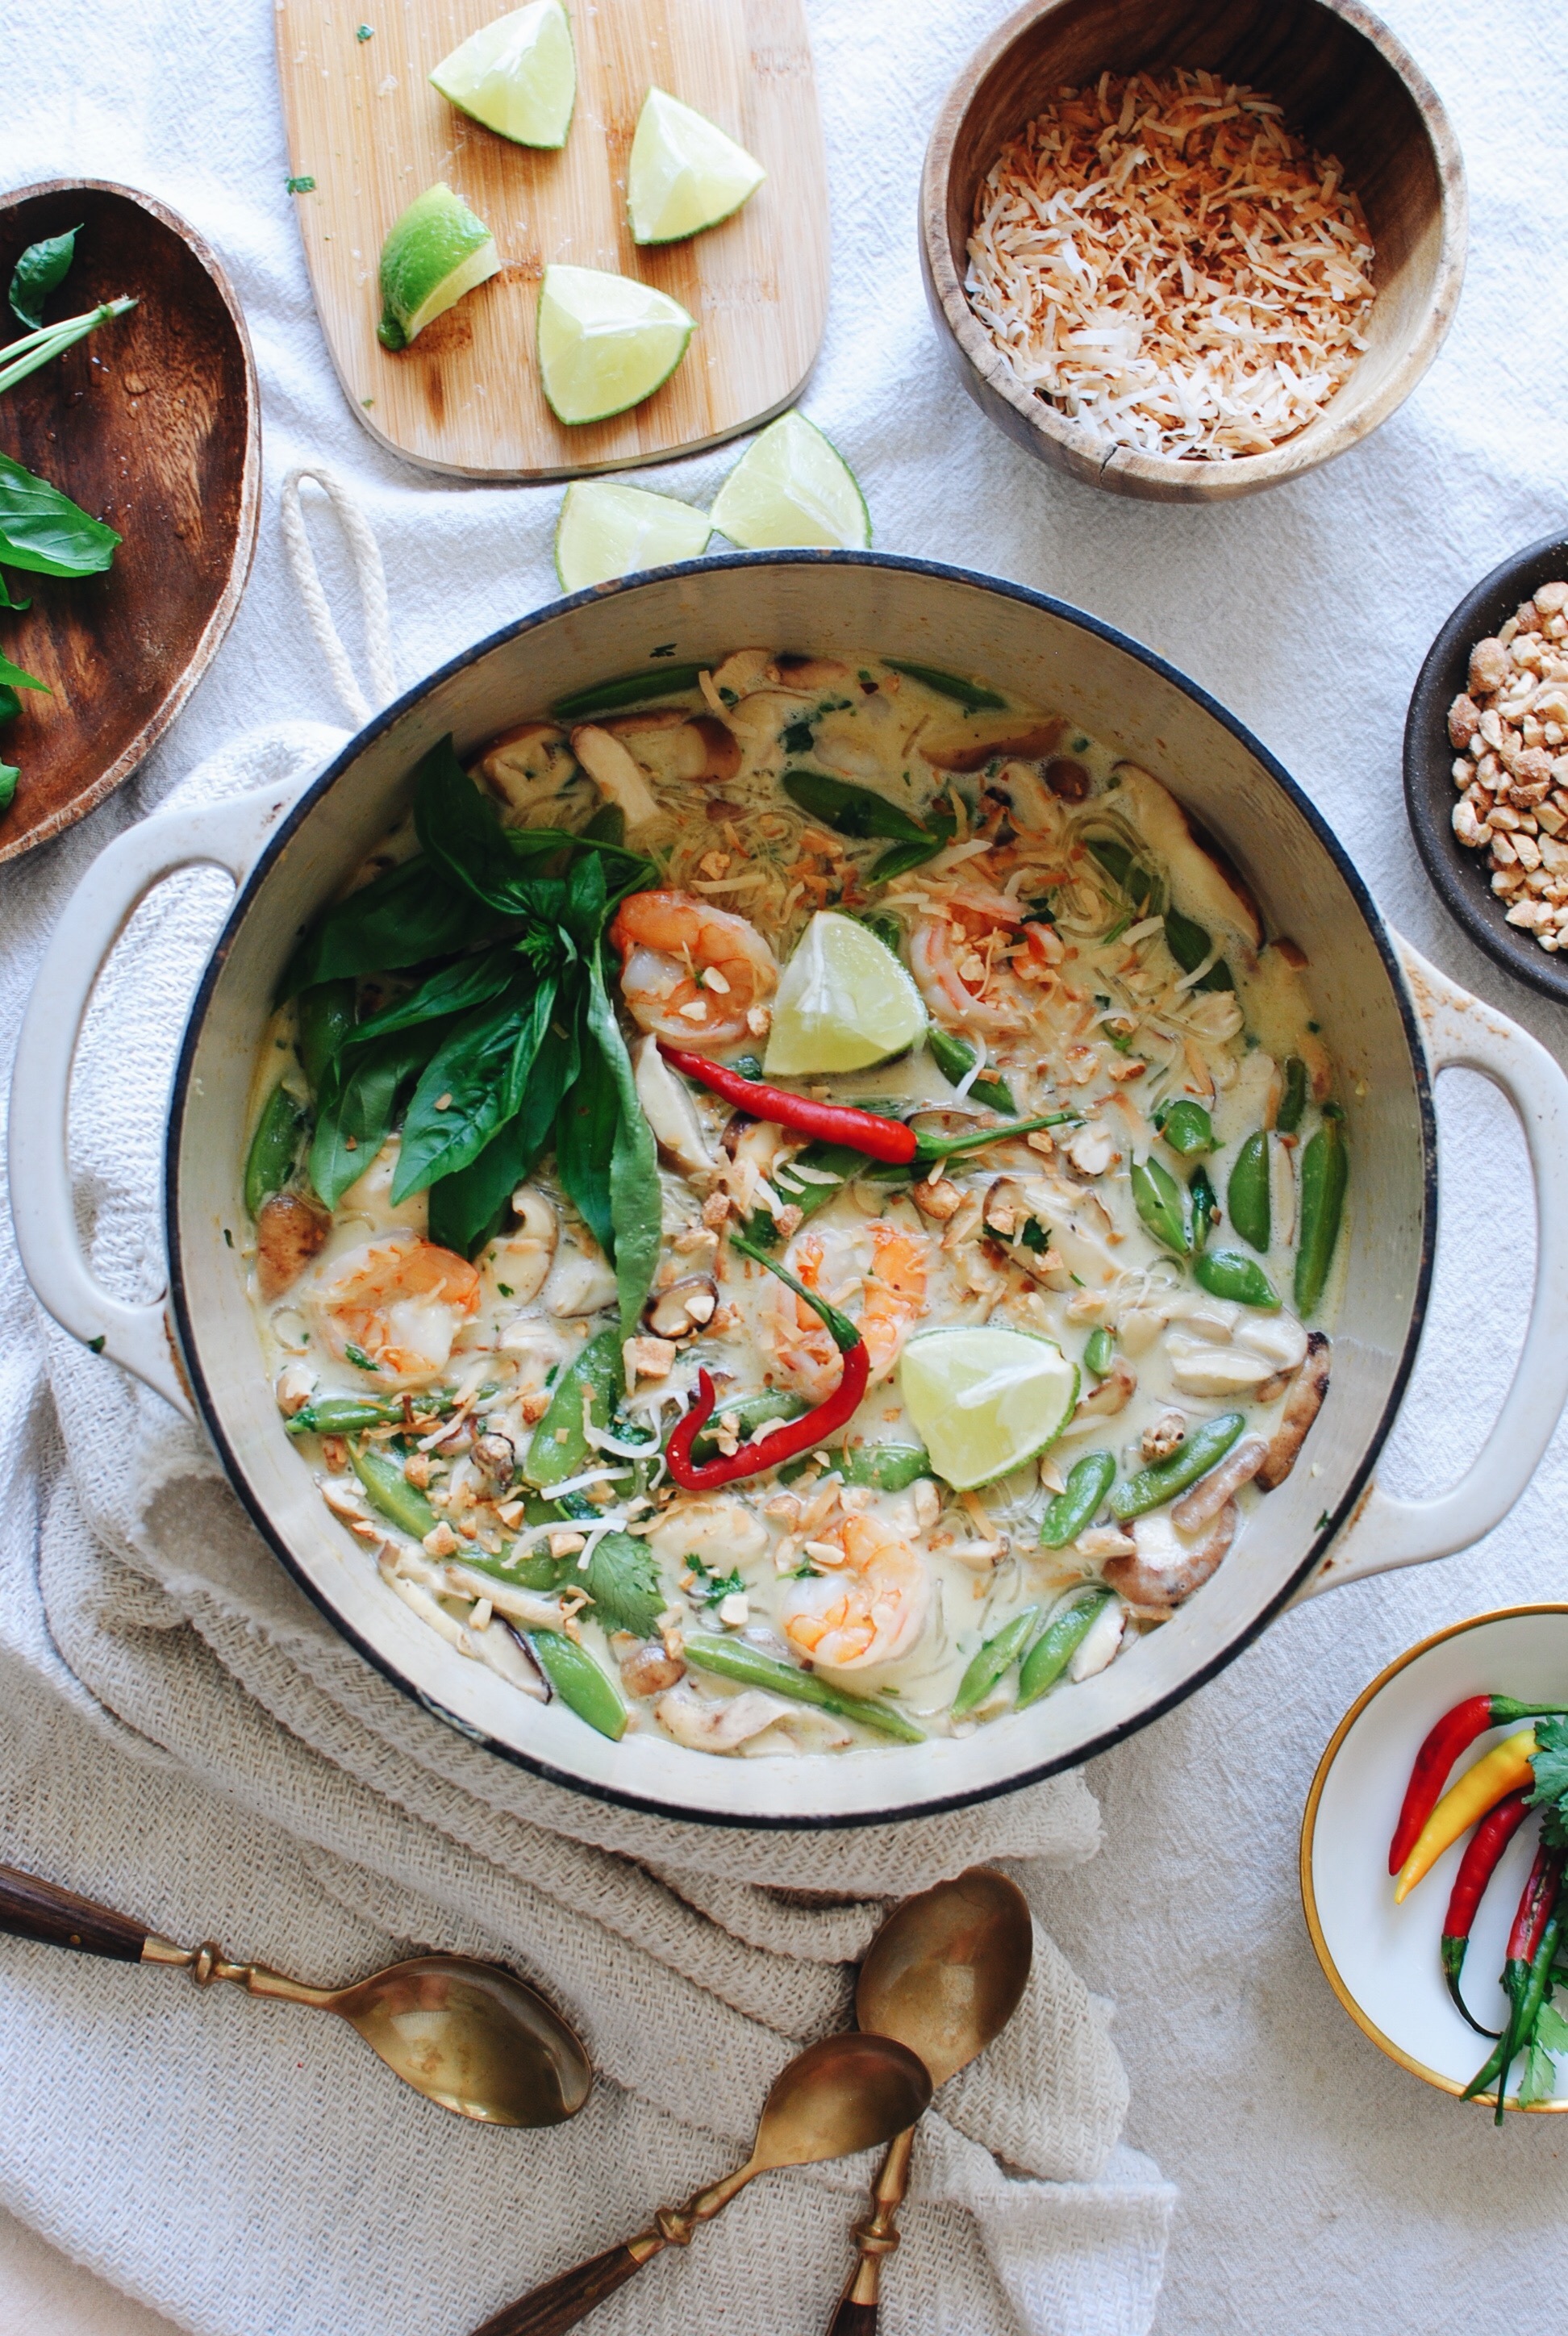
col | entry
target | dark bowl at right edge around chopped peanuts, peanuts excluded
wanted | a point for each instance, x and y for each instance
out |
(1459, 875)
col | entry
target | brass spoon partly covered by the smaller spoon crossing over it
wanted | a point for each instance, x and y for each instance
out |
(943, 1975)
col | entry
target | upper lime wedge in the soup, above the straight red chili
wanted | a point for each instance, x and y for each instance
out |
(845, 1003)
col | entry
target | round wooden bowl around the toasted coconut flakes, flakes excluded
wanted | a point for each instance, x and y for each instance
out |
(1347, 88)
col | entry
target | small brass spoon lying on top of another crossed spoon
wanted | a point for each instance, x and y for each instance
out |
(845, 2094)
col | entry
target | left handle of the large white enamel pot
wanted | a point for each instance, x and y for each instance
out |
(223, 835)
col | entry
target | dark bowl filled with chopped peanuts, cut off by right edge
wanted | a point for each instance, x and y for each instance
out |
(1487, 765)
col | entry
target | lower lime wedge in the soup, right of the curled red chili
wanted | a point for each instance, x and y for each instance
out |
(985, 1400)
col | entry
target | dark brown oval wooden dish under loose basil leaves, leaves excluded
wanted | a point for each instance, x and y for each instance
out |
(151, 424)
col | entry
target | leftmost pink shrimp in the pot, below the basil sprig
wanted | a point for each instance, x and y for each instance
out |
(401, 1302)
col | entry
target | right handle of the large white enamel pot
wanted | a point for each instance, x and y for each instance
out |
(1464, 1031)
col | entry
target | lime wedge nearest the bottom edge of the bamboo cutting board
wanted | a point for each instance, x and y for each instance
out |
(606, 342)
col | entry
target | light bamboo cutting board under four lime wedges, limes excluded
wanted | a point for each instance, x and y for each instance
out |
(370, 130)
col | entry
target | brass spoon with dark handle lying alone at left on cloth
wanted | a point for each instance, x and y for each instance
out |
(464, 2033)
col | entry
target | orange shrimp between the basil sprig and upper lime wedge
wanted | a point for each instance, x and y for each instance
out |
(691, 971)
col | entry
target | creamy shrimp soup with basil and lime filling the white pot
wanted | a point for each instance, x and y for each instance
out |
(494, 1228)
